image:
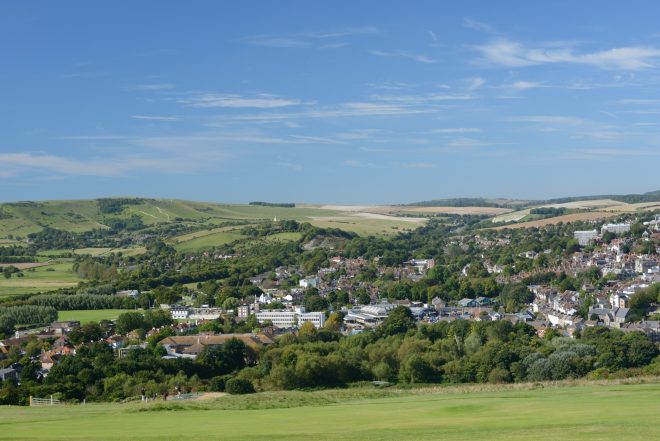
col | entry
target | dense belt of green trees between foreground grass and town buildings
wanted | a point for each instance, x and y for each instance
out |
(399, 351)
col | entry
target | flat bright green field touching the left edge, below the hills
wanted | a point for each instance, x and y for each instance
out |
(44, 278)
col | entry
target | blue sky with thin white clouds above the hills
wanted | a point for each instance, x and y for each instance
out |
(328, 101)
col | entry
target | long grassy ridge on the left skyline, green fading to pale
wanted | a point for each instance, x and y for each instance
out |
(20, 219)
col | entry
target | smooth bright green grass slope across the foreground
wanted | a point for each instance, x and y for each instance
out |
(605, 411)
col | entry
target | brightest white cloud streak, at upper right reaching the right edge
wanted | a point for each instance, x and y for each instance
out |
(514, 54)
